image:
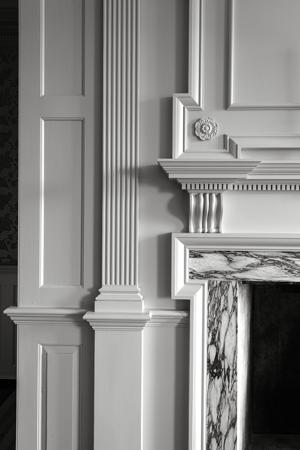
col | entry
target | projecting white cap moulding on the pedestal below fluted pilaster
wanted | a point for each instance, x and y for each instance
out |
(112, 321)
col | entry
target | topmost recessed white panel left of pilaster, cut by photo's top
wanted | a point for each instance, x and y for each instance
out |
(62, 36)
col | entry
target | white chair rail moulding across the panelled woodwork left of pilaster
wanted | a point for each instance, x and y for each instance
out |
(36, 315)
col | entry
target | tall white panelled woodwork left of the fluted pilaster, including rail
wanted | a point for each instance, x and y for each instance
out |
(58, 222)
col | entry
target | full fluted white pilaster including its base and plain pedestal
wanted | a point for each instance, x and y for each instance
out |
(119, 318)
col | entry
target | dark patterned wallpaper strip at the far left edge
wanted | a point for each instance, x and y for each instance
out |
(8, 150)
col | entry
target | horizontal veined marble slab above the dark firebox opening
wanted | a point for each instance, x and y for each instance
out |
(244, 265)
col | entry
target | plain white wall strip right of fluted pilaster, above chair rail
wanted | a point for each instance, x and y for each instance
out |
(163, 206)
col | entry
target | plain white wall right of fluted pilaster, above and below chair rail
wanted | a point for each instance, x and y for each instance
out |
(163, 209)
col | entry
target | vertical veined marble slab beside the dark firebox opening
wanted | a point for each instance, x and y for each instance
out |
(222, 365)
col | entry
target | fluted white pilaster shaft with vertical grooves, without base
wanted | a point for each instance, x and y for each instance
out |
(120, 143)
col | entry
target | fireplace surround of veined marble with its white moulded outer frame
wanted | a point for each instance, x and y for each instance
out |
(214, 273)
